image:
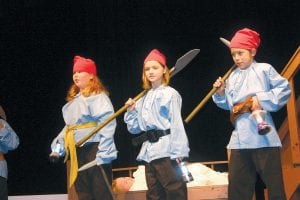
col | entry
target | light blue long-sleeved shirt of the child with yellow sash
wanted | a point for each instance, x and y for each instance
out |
(96, 108)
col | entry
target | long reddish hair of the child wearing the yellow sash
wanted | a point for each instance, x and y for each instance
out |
(94, 87)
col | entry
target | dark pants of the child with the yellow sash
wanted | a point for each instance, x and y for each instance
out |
(92, 184)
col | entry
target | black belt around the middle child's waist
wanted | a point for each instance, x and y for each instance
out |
(151, 136)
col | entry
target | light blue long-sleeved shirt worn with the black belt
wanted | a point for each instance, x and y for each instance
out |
(159, 109)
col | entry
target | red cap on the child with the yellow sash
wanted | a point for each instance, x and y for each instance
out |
(82, 64)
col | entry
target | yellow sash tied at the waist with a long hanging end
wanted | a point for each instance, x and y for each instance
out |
(71, 149)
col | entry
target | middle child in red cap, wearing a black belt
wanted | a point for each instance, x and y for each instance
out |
(157, 118)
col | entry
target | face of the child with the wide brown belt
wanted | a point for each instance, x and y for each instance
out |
(242, 57)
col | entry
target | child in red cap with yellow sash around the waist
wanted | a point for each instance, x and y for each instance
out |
(88, 105)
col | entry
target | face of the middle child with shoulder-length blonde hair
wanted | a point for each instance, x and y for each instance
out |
(154, 72)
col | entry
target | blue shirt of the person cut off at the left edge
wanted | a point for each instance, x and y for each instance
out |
(9, 140)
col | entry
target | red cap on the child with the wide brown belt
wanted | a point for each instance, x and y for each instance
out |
(245, 39)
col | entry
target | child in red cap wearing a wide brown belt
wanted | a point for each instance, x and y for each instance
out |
(250, 152)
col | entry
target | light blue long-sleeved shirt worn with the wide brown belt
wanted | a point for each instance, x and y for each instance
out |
(272, 91)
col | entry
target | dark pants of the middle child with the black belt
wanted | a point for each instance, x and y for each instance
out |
(164, 180)
